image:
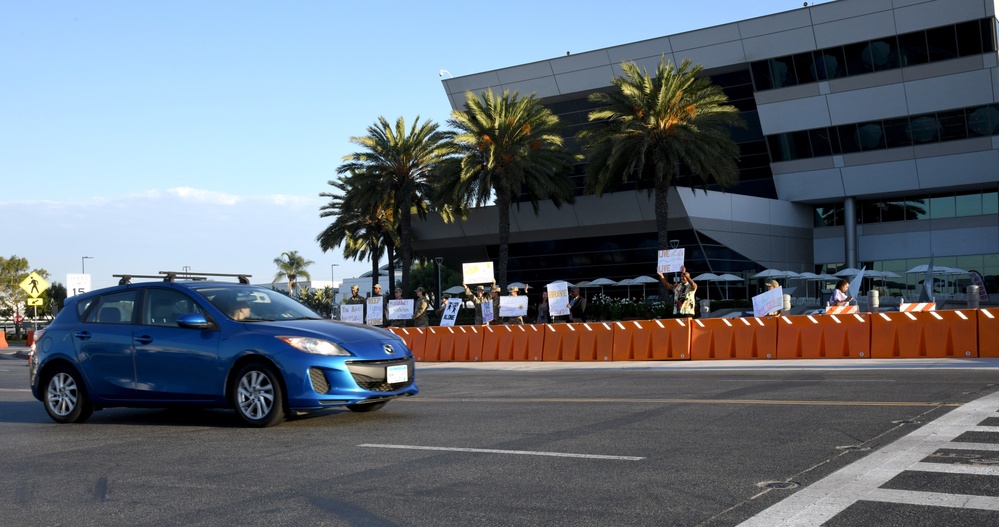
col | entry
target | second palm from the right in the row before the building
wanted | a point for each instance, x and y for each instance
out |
(508, 147)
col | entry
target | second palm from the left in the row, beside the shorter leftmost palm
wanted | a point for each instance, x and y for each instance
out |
(392, 171)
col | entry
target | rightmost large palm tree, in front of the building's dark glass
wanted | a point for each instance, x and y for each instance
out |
(650, 129)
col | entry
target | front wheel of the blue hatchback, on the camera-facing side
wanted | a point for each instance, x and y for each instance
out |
(256, 395)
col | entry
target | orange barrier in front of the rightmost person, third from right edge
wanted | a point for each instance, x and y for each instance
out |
(823, 337)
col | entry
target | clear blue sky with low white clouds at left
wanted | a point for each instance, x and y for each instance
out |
(153, 135)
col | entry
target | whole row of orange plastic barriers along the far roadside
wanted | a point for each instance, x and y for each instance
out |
(930, 334)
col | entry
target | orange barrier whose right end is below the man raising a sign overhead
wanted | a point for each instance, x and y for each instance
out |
(652, 339)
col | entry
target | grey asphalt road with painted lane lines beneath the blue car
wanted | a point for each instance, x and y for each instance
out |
(838, 443)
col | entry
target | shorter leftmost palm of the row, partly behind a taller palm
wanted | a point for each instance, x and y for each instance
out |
(364, 230)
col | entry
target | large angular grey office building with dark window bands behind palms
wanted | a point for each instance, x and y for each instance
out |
(872, 140)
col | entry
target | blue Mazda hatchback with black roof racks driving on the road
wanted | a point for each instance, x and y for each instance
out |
(208, 343)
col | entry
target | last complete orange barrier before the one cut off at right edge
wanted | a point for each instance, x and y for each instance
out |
(938, 334)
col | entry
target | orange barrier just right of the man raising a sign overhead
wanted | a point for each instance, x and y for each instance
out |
(733, 338)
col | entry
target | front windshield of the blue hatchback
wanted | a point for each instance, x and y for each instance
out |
(255, 304)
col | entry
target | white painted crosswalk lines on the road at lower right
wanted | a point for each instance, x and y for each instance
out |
(818, 503)
